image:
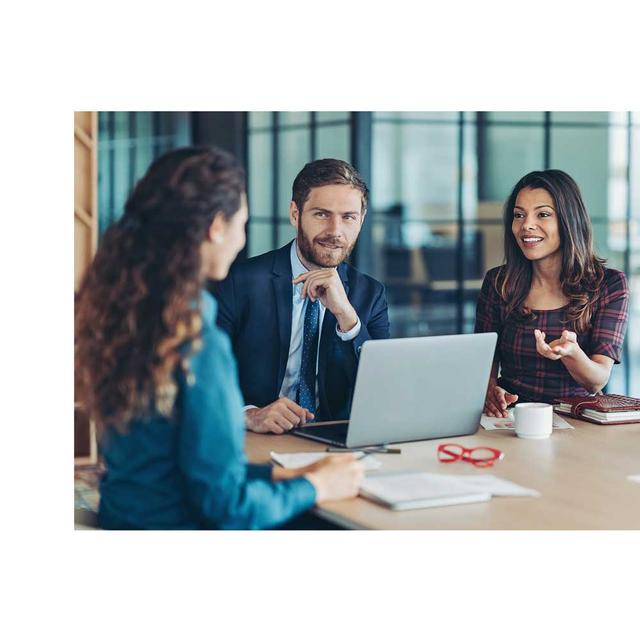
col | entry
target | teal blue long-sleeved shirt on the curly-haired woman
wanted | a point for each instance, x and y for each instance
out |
(192, 473)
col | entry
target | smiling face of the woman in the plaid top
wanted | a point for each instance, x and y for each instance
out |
(535, 224)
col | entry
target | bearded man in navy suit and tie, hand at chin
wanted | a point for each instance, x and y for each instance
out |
(298, 316)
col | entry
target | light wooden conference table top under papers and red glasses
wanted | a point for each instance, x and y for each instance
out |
(581, 474)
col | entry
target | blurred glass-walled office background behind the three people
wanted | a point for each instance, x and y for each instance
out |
(437, 179)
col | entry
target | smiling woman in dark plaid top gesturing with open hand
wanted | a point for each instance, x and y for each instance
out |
(560, 315)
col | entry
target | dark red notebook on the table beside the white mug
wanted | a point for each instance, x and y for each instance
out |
(604, 409)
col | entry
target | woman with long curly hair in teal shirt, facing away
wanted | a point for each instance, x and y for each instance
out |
(158, 376)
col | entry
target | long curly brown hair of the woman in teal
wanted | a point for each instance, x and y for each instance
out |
(138, 304)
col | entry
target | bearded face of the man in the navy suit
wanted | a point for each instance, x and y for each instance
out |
(328, 225)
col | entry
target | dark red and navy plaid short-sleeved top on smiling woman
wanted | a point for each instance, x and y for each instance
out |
(530, 375)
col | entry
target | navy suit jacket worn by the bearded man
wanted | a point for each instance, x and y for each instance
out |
(255, 309)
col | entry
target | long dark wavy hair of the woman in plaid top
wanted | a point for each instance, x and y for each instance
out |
(582, 271)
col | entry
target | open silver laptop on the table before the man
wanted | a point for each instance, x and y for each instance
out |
(413, 389)
